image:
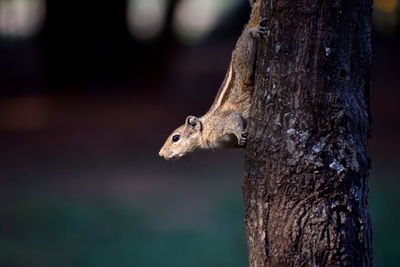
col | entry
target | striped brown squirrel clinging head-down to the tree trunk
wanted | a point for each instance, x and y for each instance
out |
(224, 125)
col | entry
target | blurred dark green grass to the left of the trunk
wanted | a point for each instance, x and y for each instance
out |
(67, 233)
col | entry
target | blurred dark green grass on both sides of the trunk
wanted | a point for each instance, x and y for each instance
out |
(46, 230)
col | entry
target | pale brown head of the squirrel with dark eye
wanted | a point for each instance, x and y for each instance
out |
(183, 140)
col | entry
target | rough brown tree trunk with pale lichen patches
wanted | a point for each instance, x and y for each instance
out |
(305, 188)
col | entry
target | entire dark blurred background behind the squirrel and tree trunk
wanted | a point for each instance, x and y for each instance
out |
(89, 91)
